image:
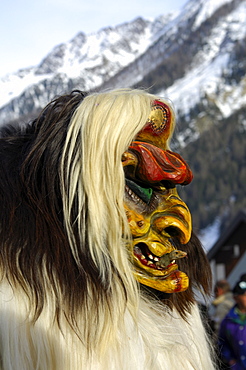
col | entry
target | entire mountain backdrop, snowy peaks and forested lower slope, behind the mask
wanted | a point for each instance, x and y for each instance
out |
(195, 58)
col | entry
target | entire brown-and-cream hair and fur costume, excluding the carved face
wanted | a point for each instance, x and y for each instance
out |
(68, 291)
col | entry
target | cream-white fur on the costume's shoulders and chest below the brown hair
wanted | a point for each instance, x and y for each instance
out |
(160, 339)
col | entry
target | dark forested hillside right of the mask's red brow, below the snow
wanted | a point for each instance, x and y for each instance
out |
(217, 160)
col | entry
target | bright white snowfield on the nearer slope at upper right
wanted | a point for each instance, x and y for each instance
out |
(204, 76)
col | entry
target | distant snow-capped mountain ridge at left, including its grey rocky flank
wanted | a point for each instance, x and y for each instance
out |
(86, 62)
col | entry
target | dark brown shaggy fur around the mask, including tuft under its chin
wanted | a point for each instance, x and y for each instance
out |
(34, 245)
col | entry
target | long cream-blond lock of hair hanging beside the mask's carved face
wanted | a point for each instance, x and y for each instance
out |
(92, 178)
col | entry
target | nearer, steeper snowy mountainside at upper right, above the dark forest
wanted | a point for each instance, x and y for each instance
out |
(193, 61)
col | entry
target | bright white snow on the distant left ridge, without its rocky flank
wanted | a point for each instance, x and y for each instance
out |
(96, 56)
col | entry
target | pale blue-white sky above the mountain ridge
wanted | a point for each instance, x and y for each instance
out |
(30, 29)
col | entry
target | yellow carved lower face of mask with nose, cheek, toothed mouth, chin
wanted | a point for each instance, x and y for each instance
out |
(154, 256)
